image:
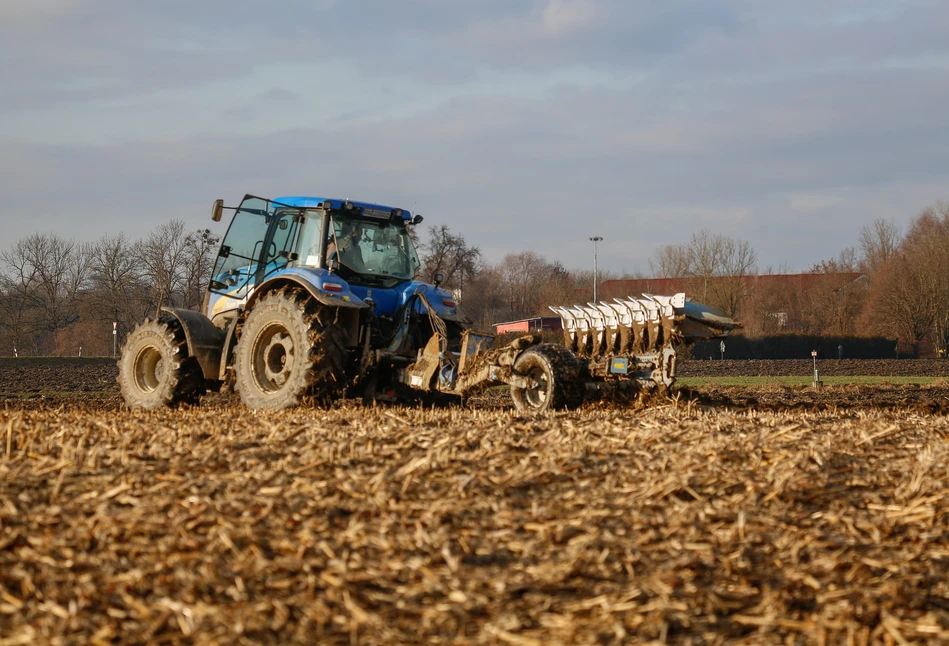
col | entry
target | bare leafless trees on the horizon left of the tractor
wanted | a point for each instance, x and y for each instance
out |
(57, 295)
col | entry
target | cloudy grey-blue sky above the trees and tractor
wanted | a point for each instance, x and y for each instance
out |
(519, 124)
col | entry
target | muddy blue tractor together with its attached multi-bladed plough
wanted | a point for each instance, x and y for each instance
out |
(313, 298)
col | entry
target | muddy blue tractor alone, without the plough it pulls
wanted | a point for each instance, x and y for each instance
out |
(312, 299)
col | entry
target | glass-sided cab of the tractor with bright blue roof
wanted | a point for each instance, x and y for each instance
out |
(366, 245)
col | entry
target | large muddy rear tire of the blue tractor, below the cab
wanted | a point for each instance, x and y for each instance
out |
(289, 353)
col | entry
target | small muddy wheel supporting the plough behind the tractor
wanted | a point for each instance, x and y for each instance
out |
(556, 371)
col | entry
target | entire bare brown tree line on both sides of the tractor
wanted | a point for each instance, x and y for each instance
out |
(57, 294)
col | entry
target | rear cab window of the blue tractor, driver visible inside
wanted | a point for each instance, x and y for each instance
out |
(377, 251)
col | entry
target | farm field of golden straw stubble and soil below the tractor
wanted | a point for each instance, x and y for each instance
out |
(757, 515)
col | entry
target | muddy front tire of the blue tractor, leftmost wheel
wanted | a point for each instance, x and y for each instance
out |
(155, 368)
